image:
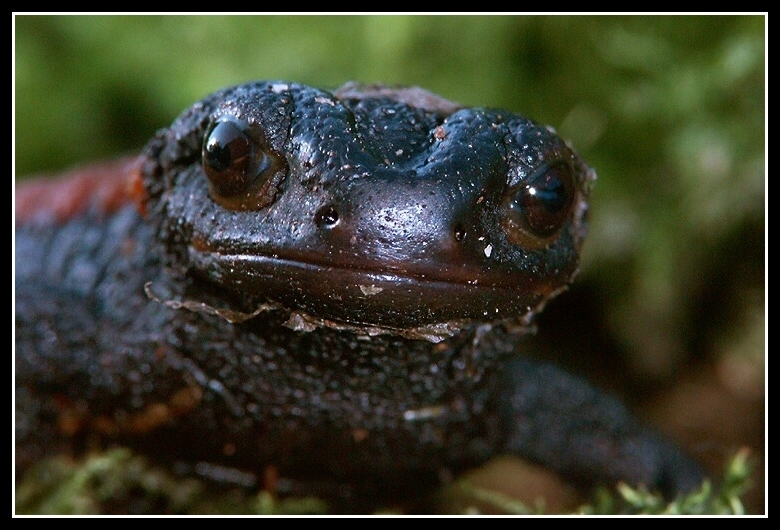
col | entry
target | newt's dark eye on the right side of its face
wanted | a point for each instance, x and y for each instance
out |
(534, 213)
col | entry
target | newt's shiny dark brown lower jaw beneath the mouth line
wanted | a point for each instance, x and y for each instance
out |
(386, 299)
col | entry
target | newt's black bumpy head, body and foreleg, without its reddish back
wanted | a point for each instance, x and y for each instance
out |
(331, 286)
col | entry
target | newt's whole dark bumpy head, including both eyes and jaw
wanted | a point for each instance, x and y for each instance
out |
(370, 206)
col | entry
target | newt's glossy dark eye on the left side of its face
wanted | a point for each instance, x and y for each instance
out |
(240, 170)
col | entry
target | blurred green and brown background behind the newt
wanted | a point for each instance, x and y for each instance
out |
(670, 308)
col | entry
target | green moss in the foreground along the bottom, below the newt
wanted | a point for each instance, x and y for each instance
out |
(120, 482)
